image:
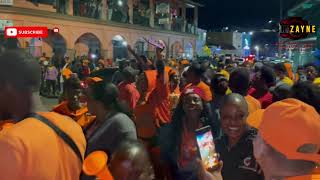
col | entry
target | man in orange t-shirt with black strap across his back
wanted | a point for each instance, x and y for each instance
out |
(31, 148)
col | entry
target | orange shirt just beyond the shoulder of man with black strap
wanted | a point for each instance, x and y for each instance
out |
(80, 116)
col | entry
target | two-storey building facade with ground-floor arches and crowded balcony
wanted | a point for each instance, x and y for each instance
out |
(105, 27)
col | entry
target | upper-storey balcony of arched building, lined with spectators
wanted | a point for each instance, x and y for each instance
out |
(136, 16)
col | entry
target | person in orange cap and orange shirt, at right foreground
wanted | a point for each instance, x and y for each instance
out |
(287, 146)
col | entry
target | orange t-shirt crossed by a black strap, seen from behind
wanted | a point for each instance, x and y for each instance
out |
(32, 150)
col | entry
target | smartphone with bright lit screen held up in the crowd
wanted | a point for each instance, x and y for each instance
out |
(206, 147)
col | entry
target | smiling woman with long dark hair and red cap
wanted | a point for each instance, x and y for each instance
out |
(178, 143)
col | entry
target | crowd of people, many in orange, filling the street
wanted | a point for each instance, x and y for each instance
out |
(264, 119)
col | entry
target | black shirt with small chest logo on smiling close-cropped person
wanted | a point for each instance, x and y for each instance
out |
(239, 162)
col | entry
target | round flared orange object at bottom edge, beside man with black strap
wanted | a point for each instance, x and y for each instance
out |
(96, 165)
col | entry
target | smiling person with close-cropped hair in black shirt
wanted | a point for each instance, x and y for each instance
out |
(235, 147)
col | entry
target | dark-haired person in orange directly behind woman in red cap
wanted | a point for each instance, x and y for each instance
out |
(193, 76)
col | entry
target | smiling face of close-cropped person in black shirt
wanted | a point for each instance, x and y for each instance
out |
(233, 120)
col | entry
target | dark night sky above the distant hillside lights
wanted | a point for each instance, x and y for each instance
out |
(241, 13)
